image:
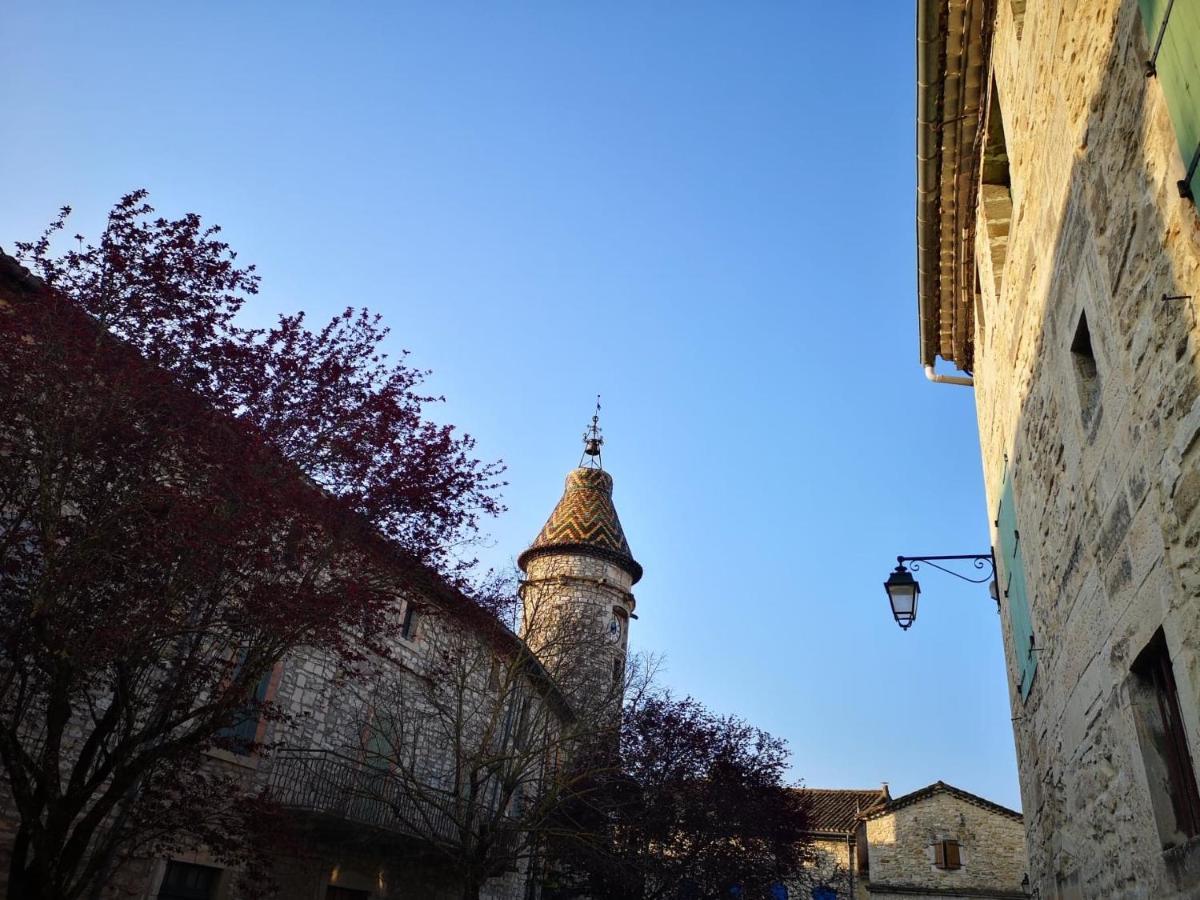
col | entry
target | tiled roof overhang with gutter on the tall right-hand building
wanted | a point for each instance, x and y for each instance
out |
(953, 61)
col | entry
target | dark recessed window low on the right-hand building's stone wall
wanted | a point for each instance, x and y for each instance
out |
(1165, 746)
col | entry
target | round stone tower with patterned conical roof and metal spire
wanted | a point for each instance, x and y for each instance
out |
(577, 597)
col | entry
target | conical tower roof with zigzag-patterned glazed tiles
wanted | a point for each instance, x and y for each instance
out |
(585, 521)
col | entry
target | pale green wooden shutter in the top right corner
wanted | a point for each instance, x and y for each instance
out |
(1178, 68)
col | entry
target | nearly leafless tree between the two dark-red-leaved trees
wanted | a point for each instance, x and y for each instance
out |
(466, 742)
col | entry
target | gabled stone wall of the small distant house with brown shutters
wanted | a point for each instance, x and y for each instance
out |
(901, 849)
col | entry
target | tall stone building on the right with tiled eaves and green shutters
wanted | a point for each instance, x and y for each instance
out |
(1059, 269)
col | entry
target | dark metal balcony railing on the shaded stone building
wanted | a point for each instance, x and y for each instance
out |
(326, 783)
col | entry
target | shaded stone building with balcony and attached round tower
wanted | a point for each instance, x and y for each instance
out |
(368, 842)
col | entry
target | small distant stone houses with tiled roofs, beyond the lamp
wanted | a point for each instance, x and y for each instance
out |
(939, 842)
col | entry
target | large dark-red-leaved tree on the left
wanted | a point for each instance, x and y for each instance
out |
(183, 503)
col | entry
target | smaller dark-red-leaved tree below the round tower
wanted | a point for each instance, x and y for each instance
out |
(688, 806)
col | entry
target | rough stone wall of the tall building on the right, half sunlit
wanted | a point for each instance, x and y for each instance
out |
(1106, 463)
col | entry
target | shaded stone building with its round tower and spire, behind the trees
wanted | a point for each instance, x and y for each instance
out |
(369, 771)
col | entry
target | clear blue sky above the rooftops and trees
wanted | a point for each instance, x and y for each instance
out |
(703, 212)
